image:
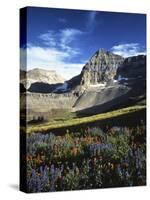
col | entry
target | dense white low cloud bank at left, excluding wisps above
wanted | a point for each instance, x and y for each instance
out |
(50, 59)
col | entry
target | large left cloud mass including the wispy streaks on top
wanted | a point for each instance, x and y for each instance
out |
(56, 53)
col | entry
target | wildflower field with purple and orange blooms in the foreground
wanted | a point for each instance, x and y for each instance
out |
(82, 161)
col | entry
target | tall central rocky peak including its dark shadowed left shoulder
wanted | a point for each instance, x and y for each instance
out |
(99, 70)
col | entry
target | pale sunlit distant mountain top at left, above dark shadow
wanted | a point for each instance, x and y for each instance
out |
(41, 76)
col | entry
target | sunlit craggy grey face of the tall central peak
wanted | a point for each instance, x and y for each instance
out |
(101, 68)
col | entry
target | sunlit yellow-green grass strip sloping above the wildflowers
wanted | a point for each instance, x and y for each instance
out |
(45, 127)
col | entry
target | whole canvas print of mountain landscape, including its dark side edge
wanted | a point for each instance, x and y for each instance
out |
(82, 99)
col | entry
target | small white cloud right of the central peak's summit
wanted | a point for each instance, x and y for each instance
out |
(127, 50)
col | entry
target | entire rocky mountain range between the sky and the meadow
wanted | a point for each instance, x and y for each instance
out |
(107, 81)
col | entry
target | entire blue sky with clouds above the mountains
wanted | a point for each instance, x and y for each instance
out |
(64, 40)
